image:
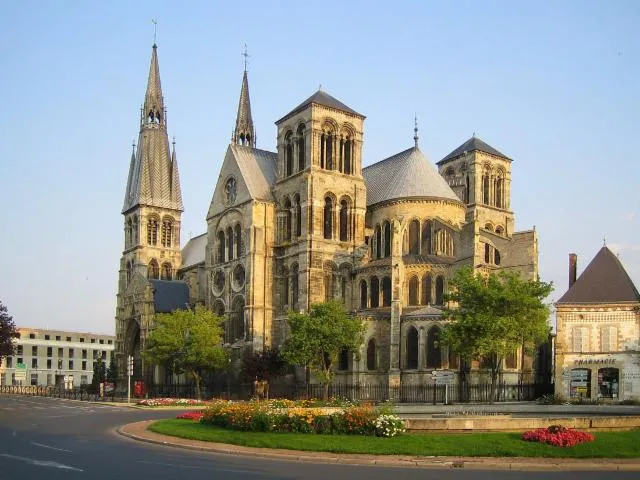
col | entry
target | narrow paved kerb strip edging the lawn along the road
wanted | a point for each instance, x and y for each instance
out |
(138, 431)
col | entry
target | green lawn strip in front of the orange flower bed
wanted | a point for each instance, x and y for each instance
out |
(606, 445)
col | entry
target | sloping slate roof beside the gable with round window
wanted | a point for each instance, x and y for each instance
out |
(258, 168)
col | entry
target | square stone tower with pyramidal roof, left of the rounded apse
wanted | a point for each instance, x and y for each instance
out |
(320, 202)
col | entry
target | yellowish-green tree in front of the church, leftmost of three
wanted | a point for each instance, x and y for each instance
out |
(187, 341)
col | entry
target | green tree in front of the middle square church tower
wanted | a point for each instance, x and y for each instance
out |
(317, 338)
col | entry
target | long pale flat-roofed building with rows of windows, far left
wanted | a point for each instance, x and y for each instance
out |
(55, 357)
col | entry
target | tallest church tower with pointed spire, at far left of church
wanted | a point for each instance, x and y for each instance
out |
(152, 210)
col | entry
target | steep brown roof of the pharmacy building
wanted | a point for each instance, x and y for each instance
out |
(603, 281)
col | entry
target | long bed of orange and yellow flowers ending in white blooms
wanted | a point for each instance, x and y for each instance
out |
(301, 417)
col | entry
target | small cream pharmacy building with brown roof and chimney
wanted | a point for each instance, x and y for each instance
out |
(598, 332)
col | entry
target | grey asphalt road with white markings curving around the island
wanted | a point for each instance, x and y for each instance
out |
(66, 439)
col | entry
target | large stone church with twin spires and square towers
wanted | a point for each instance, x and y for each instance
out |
(309, 222)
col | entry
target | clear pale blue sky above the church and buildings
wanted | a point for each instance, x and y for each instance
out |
(551, 84)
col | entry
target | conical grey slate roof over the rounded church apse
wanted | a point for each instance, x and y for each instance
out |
(406, 174)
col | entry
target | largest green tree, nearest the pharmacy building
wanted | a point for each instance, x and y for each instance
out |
(494, 315)
